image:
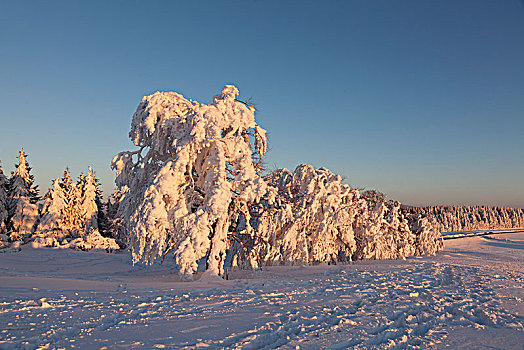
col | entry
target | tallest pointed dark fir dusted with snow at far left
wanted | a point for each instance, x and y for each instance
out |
(23, 210)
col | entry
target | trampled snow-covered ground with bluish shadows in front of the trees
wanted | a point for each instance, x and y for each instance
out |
(468, 296)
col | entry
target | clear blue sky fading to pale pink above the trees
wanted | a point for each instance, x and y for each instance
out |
(422, 100)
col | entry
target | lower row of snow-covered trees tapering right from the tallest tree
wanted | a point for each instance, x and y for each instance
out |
(310, 216)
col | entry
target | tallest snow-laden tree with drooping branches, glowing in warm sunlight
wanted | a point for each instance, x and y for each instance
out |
(194, 160)
